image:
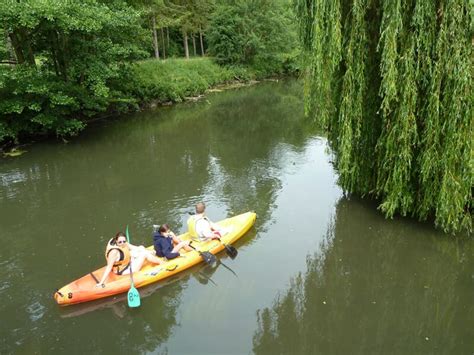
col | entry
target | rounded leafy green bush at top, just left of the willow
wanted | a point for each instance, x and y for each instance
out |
(248, 32)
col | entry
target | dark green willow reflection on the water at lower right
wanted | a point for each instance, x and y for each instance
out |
(375, 287)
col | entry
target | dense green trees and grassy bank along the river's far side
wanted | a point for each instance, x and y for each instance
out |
(63, 63)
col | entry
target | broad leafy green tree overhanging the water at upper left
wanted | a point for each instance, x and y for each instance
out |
(80, 54)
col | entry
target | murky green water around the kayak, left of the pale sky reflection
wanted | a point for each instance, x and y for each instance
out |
(59, 204)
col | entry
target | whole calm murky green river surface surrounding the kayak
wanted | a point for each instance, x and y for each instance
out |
(319, 273)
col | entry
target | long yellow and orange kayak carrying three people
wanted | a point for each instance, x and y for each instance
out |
(84, 289)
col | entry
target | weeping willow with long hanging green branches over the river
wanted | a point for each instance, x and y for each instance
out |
(391, 81)
